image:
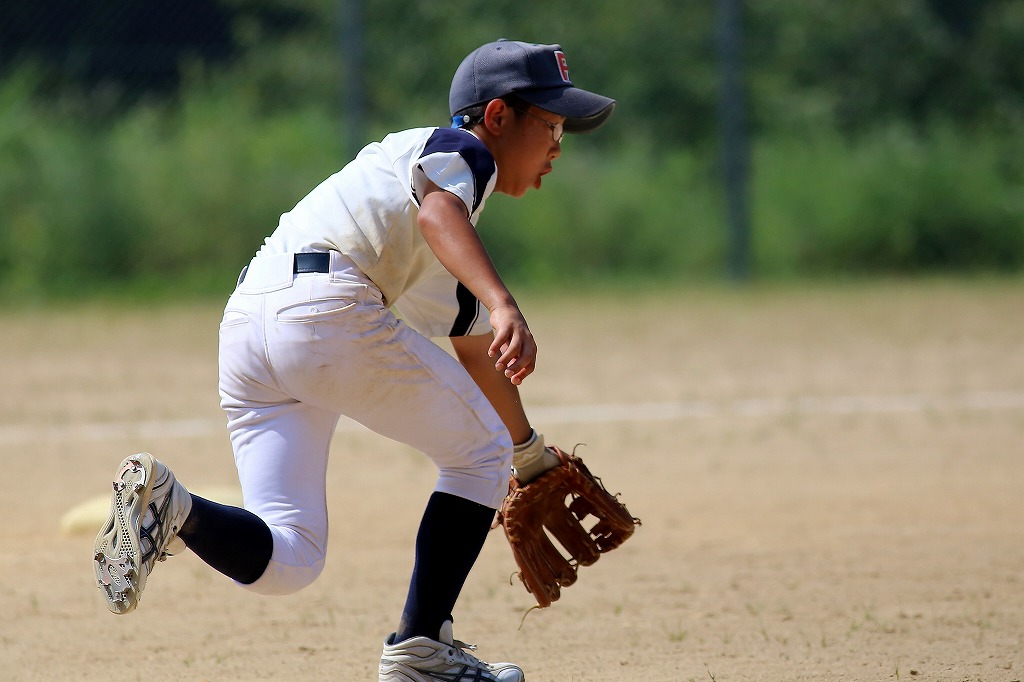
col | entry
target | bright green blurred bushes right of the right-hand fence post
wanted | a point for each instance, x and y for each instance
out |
(892, 202)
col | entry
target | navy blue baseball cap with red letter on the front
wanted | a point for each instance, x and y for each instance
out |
(537, 74)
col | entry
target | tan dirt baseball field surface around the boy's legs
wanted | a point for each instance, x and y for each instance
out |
(830, 481)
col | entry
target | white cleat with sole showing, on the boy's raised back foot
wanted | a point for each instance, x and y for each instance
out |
(148, 508)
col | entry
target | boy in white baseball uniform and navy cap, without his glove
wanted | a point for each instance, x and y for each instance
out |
(310, 335)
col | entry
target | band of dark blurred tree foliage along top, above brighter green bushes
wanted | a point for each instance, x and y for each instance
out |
(855, 64)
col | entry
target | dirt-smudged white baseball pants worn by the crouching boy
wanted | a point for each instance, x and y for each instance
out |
(300, 351)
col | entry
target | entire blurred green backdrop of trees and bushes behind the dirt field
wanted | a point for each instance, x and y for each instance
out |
(142, 139)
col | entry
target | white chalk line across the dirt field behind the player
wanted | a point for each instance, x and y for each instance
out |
(577, 414)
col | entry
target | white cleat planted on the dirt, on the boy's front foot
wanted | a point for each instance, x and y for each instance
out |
(423, 660)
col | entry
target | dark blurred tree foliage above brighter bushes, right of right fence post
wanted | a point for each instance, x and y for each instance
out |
(882, 61)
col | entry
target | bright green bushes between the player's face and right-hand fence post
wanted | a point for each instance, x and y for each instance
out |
(632, 214)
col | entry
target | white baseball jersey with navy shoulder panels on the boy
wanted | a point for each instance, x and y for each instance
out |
(368, 211)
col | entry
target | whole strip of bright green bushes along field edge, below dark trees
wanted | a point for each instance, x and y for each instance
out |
(178, 198)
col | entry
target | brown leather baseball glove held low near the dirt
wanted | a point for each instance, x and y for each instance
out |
(572, 506)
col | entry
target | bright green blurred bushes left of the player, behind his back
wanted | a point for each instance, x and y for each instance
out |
(161, 198)
